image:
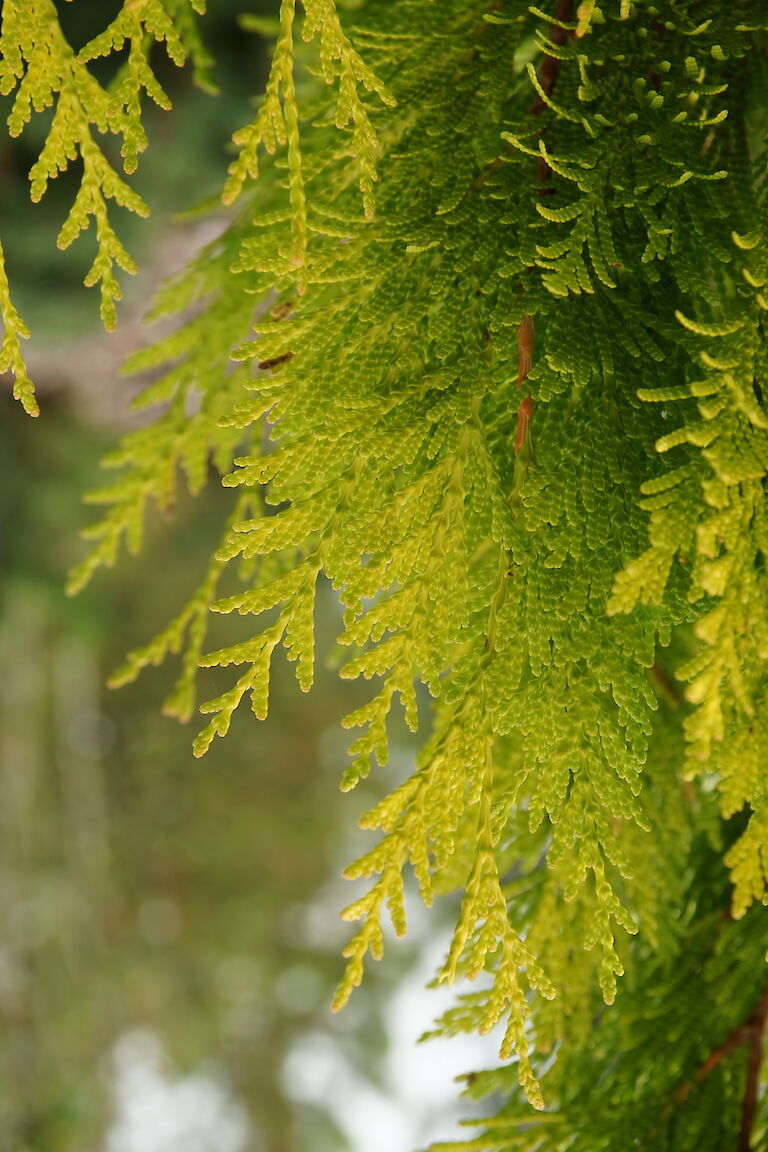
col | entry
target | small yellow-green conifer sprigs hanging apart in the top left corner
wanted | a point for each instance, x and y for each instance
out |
(40, 66)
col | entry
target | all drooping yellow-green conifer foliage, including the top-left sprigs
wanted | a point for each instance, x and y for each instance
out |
(484, 346)
